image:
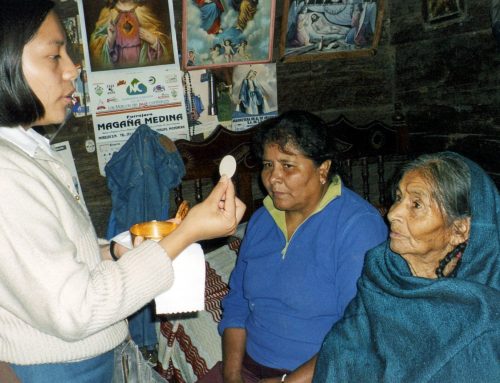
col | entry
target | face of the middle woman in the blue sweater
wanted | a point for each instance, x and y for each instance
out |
(293, 181)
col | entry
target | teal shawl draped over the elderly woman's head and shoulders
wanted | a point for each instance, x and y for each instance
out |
(401, 328)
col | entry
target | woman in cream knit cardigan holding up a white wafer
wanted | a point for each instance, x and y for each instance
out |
(63, 299)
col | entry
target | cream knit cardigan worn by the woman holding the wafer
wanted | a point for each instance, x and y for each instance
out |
(58, 300)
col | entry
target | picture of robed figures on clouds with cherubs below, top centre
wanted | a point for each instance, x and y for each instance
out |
(226, 33)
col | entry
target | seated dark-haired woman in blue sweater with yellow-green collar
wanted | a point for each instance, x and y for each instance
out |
(299, 260)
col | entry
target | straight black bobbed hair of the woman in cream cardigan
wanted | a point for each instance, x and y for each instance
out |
(19, 22)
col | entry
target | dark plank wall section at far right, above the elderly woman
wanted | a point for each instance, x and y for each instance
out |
(448, 81)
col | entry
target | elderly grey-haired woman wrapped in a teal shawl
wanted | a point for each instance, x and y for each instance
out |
(428, 301)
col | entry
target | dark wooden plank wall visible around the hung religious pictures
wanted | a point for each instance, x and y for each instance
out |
(447, 81)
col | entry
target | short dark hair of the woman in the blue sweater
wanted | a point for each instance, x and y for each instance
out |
(303, 130)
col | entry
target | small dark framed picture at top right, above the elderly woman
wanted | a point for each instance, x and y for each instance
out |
(439, 13)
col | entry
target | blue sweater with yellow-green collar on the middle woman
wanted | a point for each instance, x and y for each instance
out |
(287, 295)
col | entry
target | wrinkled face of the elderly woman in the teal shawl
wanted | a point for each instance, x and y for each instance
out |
(419, 231)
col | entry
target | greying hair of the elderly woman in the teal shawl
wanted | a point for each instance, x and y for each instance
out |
(450, 179)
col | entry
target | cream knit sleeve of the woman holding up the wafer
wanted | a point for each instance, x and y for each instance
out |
(52, 277)
